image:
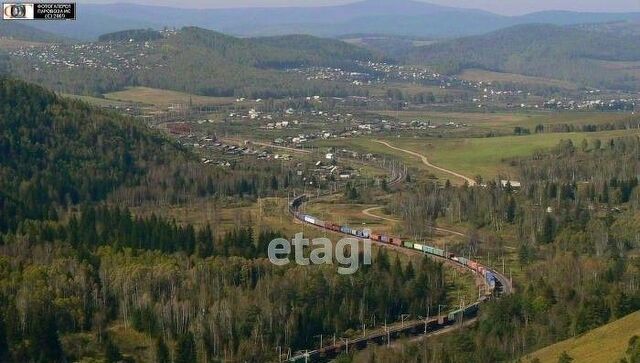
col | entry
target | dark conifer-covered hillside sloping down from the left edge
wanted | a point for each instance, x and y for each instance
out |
(55, 153)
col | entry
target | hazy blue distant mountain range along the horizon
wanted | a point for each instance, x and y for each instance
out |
(404, 17)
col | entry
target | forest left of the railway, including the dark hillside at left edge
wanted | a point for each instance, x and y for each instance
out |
(76, 268)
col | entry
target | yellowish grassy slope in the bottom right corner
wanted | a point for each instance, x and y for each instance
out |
(605, 344)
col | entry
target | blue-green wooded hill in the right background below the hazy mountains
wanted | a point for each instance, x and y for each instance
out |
(589, 56)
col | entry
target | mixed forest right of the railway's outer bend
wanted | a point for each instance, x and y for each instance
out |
(577, 223)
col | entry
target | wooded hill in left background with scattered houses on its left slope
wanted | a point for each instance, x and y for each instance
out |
(193, 60)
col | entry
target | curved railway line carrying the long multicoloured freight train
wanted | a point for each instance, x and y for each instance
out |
(495, 283)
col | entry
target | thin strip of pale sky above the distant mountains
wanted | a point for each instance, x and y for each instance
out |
(505, 7)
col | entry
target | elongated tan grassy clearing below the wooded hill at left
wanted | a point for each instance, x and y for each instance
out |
(164, 98)
